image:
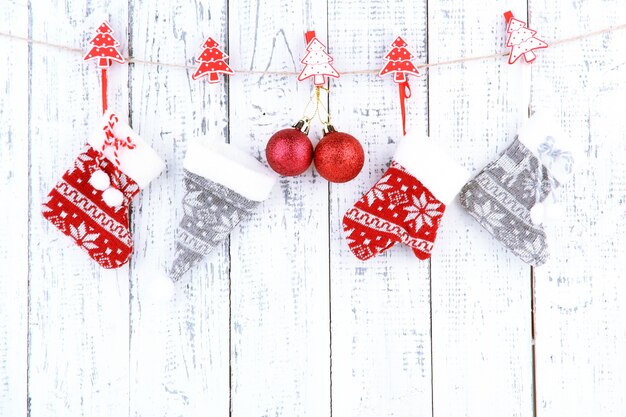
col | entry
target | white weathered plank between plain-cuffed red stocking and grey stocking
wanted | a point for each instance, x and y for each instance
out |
(481, 298)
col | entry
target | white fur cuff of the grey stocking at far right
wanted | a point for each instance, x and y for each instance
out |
(538, 132)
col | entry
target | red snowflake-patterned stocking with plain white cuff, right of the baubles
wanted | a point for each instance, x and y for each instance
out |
(406, 205)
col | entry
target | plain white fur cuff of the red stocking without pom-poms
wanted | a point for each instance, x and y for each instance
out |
(432, 166)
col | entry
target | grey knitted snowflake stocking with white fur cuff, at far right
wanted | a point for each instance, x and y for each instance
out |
(506, 196)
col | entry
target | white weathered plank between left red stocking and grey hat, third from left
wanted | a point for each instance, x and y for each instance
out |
(179, 349)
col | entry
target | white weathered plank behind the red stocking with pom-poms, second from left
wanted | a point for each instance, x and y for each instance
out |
(78, 319)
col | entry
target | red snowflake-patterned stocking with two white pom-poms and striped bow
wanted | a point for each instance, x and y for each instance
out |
(90, 203)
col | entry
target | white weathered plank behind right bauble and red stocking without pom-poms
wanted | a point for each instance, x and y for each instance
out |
(380, 309)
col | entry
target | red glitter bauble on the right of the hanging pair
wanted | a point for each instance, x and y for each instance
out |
(339, 157)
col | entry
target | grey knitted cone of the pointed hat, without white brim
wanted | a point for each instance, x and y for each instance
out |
(211, 212)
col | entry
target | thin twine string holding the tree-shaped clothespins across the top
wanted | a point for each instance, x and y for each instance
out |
(135, 60)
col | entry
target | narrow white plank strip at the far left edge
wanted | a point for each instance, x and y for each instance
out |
(14, 223)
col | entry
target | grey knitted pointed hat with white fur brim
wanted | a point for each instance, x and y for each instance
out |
(223, 186)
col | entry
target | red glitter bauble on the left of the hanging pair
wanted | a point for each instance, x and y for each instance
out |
(289, 152)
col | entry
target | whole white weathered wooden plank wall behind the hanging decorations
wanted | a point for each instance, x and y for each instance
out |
(282, 320)
